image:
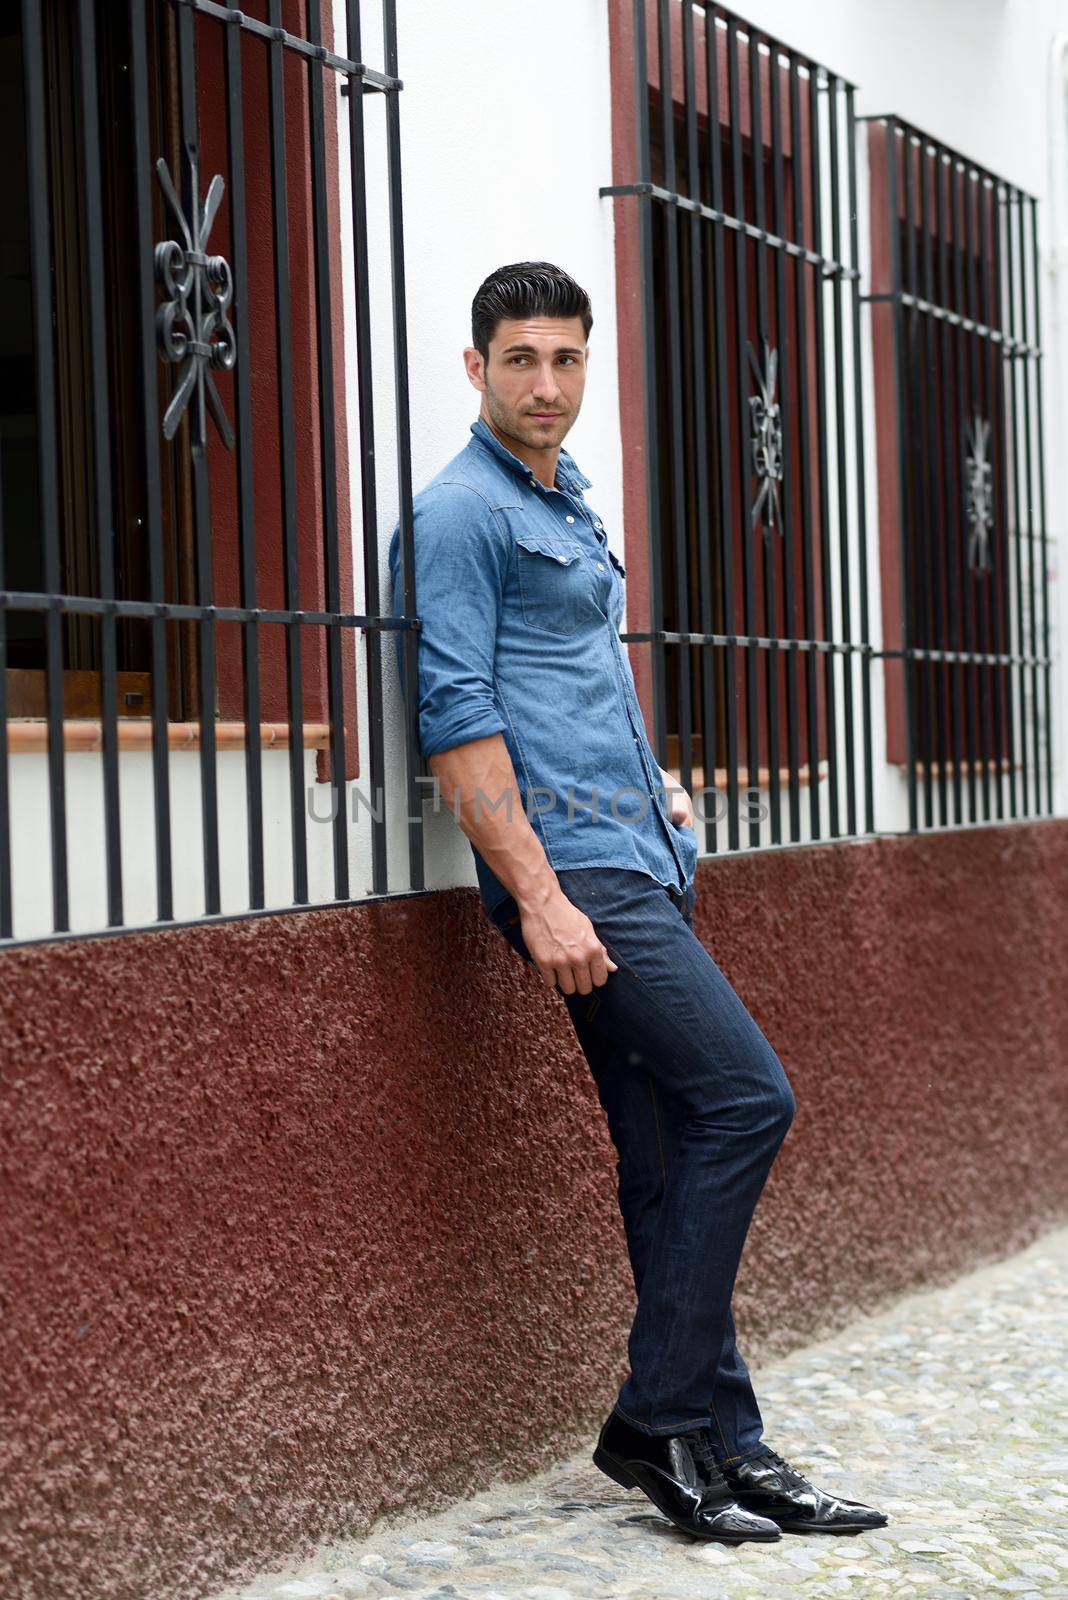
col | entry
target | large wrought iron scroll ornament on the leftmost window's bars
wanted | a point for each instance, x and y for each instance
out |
(193, 327)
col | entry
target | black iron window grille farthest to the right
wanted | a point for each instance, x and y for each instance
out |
(965, 305)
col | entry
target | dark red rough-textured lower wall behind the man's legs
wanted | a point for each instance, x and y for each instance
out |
(313, 1217)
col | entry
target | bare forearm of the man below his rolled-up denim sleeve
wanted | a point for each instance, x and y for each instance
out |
(477, 782)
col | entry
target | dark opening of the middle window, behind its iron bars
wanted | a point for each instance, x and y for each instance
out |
(783, 546)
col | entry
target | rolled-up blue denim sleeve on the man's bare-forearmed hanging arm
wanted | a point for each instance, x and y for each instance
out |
(461, 567)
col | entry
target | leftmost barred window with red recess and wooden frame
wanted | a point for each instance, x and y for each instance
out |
(175, 503)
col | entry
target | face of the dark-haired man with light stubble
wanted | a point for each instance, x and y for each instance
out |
(533, 382)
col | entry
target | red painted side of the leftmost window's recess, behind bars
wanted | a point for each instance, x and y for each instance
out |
(305, 390)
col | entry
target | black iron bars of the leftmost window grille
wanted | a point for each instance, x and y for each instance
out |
(202, 329)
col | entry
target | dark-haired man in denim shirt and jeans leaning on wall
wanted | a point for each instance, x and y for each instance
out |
(532, 727)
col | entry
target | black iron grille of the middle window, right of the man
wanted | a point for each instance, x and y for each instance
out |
(794, 473)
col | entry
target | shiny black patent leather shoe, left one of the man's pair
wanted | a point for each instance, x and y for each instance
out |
(682, 1479)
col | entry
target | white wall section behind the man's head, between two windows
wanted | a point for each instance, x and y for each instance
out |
(506, 142)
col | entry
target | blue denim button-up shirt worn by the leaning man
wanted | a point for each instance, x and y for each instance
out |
(520, 602)
